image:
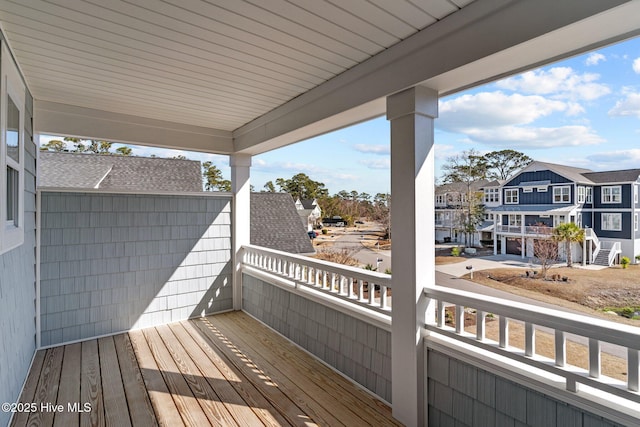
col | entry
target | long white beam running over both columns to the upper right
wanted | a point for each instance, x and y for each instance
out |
(484, 40)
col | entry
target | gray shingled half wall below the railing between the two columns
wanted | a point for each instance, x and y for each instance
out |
(359, 350)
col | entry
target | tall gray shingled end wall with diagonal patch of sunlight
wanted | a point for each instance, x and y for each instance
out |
(112, 262)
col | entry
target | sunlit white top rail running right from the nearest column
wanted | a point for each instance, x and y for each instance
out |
(578, 324)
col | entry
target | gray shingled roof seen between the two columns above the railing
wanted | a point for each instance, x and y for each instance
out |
(275, 224)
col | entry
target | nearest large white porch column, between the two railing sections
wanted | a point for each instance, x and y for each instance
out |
(411, 114)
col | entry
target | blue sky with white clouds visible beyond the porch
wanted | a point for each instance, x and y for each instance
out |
(584, 112)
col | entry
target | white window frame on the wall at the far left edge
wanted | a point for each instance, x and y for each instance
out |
(11, 235)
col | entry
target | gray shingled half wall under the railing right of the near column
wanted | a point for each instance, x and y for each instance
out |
(463, 395)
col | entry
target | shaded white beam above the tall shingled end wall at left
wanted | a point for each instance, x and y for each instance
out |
(68, 120)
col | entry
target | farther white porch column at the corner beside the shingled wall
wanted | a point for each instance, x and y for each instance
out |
(241, 218)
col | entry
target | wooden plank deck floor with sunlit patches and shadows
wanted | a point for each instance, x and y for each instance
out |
(221, 370)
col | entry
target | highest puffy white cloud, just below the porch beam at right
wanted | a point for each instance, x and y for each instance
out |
(559, 83)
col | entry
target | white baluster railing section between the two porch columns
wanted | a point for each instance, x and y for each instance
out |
(365, 288)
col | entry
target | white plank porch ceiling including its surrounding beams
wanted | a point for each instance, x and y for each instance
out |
(230, 75)
